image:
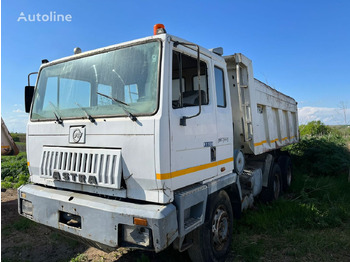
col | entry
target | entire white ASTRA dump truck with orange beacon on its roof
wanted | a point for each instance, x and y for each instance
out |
(154, 142)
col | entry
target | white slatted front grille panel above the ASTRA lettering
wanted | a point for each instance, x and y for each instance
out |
(104, 164)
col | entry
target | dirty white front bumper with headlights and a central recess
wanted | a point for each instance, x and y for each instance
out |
(100, 220)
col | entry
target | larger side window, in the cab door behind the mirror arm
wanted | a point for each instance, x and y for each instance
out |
(185, 93)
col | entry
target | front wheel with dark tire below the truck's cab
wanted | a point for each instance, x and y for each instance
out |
(212, 240)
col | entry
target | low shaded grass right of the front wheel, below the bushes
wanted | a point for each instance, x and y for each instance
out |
(310, 222)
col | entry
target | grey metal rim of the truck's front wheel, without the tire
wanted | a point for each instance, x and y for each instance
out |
(220, 228)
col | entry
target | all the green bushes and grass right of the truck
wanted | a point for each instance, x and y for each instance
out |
(311, 222)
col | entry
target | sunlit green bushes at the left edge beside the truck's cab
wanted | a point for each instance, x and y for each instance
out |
(14, 170)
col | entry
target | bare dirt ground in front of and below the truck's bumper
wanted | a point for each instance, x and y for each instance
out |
(23, 240)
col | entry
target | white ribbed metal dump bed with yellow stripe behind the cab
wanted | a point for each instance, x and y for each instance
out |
(263, 118)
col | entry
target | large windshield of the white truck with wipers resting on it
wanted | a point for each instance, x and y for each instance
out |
(114, 83)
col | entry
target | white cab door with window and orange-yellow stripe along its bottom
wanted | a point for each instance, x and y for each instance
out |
(193, 145)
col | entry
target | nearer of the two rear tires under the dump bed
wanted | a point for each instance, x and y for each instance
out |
(273, 189)
